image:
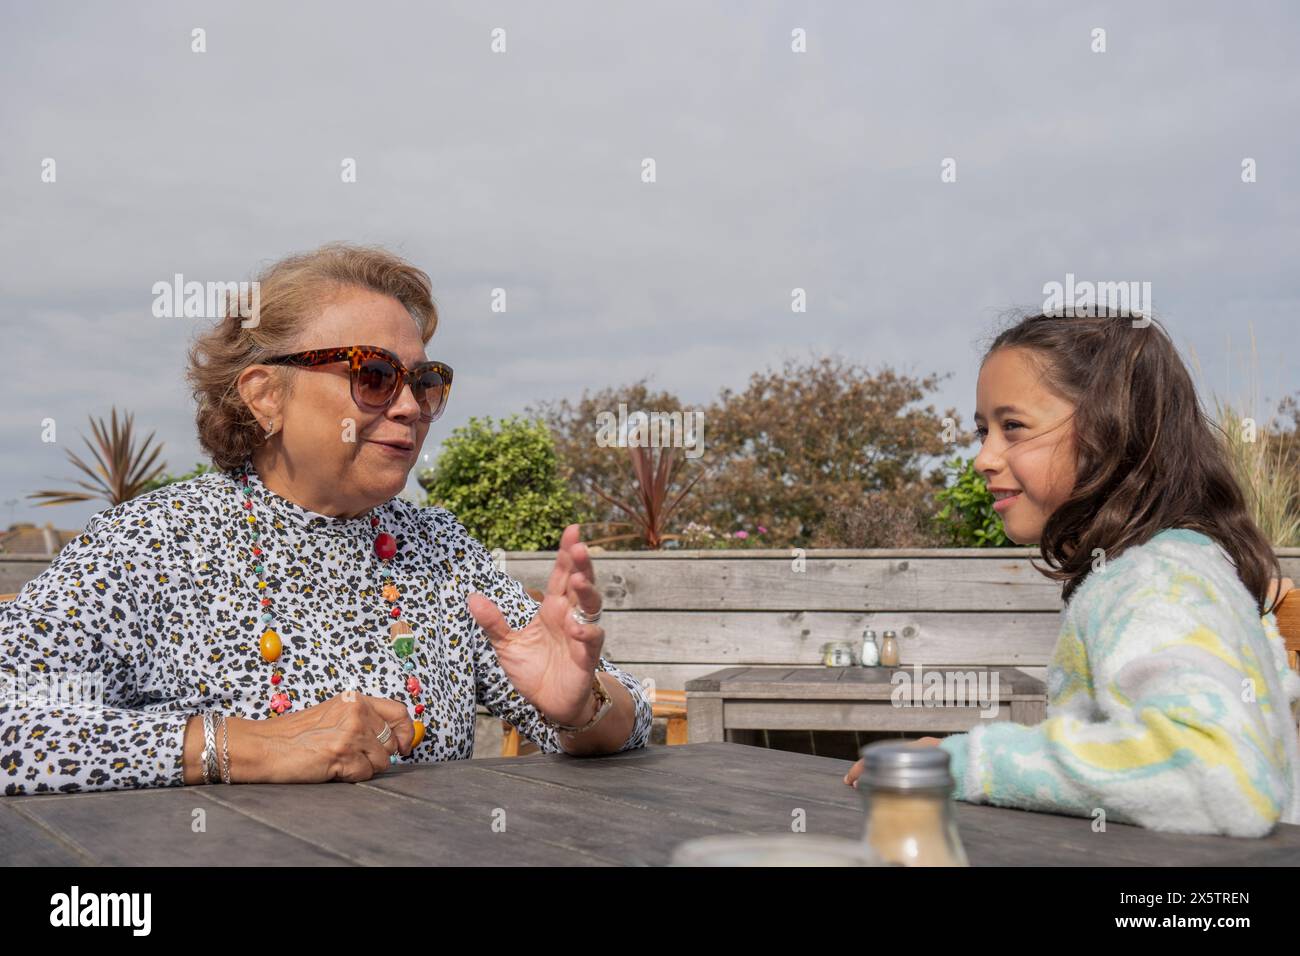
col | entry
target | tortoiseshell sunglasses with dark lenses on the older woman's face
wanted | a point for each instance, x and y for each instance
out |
(378, 377)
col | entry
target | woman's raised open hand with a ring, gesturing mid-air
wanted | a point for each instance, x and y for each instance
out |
(551, 661)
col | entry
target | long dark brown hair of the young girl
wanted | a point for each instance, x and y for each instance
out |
(1149, 456)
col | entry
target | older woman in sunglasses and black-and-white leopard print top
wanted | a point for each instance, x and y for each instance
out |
(287, 618)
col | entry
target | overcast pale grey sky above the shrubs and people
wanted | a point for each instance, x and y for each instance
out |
(523, 171)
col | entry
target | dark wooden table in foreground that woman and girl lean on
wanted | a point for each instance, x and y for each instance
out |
(548, 810)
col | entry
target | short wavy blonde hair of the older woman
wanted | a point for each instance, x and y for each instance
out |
(292, 293)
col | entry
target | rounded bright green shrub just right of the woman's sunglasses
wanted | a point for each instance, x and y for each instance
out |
(502, 482)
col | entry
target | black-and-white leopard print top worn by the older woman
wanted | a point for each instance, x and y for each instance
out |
(151, 616)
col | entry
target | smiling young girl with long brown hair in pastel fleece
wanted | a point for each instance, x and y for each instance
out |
(1169, 698)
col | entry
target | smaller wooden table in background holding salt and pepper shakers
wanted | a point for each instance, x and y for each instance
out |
(856, 699)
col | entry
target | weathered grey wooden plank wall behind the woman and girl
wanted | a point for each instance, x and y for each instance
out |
(675, 616)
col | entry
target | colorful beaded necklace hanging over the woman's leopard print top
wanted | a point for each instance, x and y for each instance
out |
(401, 635)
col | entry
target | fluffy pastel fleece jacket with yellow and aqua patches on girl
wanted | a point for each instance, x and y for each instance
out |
(1169, 704)
